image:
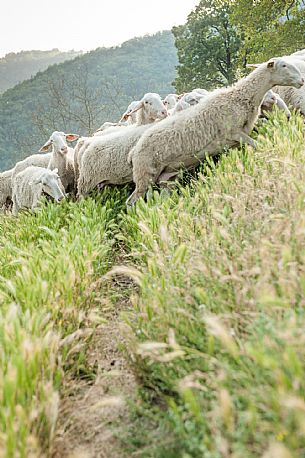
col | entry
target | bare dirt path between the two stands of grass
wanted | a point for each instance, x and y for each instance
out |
(92, 416)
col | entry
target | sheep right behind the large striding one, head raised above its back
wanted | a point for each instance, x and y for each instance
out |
(114, 148)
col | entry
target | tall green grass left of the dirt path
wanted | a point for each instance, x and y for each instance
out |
(48, 263)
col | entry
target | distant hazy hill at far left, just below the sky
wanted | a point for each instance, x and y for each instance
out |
(17, 67)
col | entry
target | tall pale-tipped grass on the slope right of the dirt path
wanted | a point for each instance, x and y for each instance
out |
(218, 325)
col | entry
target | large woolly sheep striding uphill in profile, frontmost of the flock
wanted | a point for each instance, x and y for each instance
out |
(224, 118)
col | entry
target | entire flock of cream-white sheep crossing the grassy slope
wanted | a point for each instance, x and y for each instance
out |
(155, 138)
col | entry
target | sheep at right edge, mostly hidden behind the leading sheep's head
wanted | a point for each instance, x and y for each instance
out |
(294, 97)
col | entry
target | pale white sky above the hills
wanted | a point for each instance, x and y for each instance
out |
(84, 24)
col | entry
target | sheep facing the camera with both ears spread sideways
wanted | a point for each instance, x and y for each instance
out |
(62, 157)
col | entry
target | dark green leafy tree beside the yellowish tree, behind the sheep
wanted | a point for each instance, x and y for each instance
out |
(208, 47)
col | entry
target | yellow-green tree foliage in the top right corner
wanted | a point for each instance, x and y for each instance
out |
(270, 27)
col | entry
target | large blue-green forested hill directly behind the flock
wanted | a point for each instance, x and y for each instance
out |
(78, 95)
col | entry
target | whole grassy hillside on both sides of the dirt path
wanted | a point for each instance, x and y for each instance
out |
(216, 316)
